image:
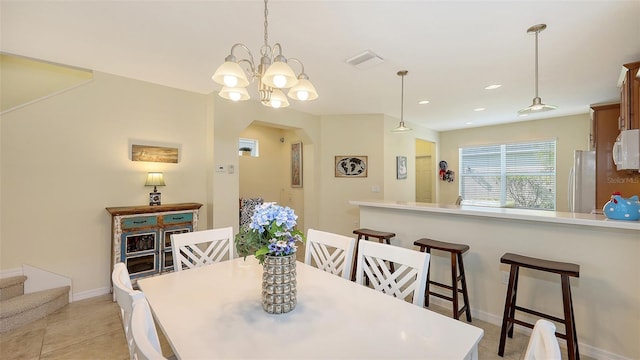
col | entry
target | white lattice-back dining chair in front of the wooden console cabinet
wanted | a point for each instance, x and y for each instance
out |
(199, 248)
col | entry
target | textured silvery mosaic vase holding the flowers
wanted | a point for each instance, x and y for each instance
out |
(279, 284)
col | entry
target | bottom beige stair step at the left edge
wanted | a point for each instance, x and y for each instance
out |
(24, 309)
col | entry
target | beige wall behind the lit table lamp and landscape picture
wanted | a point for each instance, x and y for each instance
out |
(66, 158)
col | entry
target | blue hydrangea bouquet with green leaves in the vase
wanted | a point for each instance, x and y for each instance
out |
(271, 232)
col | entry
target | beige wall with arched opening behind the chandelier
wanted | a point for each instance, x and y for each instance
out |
(230, 121)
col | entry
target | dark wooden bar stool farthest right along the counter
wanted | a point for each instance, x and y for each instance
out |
(508, 319)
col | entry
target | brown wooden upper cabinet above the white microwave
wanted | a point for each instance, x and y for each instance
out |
(629, 85)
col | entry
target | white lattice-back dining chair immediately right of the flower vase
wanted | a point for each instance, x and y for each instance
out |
(330, 252)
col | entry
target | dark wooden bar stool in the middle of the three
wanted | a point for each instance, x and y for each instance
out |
(456, 251)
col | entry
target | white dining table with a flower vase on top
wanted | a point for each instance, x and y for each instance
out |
(215, 312)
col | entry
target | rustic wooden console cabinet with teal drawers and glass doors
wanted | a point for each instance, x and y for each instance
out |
(141, 235)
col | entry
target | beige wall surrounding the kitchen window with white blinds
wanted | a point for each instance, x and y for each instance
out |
(571, 133)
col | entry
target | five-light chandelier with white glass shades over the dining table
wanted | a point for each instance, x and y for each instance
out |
(273, 74)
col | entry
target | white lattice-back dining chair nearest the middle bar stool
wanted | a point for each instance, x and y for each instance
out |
(406, 280)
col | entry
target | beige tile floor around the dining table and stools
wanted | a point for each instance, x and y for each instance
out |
(91, 329)
